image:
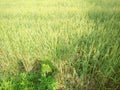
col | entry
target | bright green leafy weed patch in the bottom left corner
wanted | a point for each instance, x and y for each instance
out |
(42, 79)
